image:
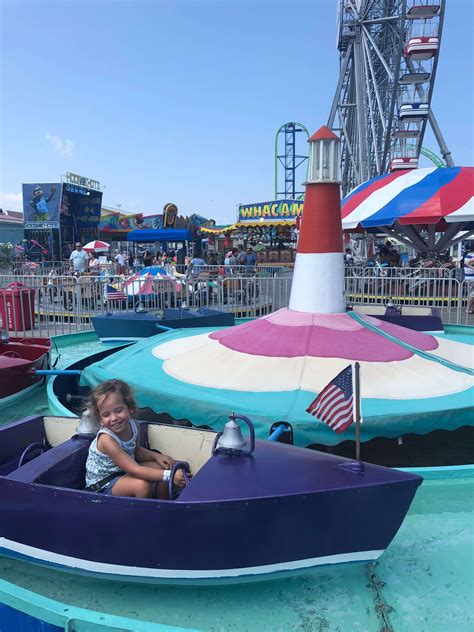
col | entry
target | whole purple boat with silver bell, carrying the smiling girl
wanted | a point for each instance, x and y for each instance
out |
(253, 509)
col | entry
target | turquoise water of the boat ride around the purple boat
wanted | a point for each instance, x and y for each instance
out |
(424, 582)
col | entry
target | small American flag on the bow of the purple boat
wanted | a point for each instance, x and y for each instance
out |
(334, 404)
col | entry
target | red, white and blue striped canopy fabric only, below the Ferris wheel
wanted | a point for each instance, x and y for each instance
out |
(419, 196)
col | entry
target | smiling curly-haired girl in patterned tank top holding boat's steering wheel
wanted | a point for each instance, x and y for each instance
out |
(117, 464)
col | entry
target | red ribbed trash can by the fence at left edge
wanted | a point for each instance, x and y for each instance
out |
(17, 307)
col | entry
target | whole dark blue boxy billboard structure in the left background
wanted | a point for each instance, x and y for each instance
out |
(61, 213)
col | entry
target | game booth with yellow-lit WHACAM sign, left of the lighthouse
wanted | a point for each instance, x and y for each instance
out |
(271, 228)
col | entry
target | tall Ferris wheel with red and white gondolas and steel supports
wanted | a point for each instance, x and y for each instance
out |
(389, 52)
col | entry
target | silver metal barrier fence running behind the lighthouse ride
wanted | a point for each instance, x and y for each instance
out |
(50, 305)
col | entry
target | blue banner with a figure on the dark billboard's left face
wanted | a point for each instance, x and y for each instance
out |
(41, 205)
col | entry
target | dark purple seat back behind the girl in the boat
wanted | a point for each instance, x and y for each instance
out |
(61, 466)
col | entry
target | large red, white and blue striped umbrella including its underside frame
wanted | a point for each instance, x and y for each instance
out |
(414, 206)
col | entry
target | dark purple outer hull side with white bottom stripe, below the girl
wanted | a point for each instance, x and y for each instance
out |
(97, 535)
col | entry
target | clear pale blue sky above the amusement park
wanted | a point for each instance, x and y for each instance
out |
(179, 101)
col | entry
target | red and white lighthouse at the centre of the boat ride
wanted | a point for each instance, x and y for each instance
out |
(318, 279)
